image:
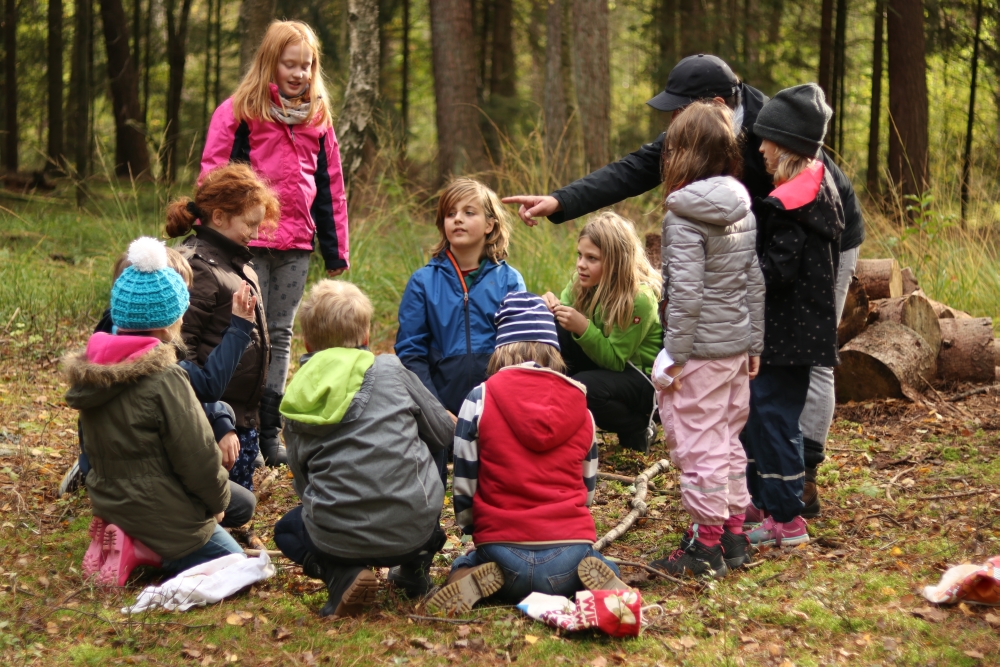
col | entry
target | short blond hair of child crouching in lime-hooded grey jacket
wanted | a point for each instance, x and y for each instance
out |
(335, 314)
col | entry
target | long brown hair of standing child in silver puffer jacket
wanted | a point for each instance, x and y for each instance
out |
(700, 143)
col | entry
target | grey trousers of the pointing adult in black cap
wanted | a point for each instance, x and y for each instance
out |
(820, 402)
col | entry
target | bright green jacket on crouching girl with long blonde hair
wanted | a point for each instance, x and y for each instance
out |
(639, 343)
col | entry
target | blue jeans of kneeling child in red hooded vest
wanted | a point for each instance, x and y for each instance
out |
(527, 569)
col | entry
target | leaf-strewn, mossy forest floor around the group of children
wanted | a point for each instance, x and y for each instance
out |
(908, 490)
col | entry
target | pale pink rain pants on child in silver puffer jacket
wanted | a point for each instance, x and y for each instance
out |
(702, 422)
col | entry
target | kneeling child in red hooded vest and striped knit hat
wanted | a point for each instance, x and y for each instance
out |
(525, 472)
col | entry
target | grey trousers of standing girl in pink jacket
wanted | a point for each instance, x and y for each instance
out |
(282, 275)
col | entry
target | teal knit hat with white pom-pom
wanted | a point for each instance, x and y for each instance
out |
(148, 294)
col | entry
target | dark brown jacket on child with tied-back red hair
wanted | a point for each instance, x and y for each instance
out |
(219, 266)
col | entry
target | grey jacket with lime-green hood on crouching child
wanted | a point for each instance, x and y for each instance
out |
(368, 484)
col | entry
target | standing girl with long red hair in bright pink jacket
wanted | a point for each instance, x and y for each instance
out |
(279, 122)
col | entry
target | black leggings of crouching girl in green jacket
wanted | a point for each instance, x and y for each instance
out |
(621, 401)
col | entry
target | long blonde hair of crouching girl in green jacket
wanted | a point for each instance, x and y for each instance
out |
(625, 270)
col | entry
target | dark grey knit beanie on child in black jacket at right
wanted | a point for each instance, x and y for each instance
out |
(795, 118)
